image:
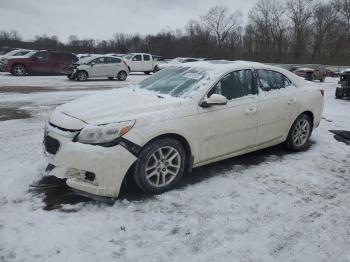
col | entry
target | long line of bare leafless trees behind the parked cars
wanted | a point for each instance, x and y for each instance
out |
(275, 31)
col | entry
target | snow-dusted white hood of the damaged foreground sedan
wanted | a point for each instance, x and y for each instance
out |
(118, 105)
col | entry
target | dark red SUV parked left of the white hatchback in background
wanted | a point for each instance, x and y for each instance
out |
(41, 62)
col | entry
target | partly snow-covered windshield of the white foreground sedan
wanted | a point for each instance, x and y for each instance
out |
(175, 81)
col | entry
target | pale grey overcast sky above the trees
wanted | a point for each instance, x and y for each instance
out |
(101, 19)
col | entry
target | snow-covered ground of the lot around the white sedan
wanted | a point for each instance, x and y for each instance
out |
(271, 205)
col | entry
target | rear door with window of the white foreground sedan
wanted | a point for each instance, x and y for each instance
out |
(277, 106)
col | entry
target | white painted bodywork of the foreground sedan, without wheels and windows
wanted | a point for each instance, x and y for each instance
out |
(211, 134)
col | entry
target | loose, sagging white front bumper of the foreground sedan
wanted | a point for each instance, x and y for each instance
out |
(79, 163)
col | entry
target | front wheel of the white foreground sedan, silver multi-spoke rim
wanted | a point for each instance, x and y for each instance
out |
(160, 165)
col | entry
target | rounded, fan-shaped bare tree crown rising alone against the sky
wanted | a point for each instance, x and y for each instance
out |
(220, 23)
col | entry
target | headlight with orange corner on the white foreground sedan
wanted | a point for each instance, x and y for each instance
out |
(104, 133)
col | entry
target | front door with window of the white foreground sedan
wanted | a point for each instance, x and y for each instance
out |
(227, 129)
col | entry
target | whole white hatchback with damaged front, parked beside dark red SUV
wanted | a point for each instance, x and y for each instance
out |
(99, 66)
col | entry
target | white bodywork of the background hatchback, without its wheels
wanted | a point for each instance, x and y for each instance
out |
(111, 66)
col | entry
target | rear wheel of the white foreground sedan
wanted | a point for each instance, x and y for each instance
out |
(299, 134)
